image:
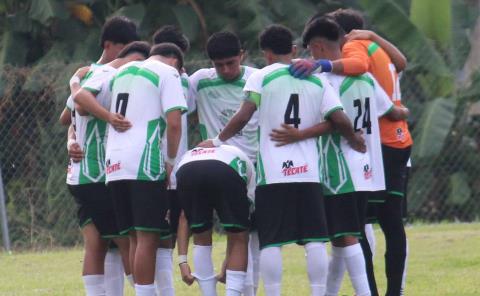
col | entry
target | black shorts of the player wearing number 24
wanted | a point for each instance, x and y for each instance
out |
(346, 214)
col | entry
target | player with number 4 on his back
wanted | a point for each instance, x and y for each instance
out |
(288, 199)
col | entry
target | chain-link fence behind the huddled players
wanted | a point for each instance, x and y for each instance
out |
(444, 183)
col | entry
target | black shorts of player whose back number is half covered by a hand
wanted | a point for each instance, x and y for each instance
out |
(140, 205)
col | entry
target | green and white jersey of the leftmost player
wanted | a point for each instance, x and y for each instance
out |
(91, 133)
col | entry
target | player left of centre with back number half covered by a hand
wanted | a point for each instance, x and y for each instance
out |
(149, 94)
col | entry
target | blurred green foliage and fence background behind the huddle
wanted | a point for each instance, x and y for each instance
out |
(44, 41)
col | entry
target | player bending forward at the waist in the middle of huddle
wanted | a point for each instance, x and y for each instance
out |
(220, 178)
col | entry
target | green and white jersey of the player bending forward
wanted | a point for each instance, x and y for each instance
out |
(230, 155)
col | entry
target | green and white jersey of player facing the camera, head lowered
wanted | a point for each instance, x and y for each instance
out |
(217, 101)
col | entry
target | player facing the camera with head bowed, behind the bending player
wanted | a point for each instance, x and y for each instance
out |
(218, 95)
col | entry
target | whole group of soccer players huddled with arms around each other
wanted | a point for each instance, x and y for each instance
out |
(301, 151)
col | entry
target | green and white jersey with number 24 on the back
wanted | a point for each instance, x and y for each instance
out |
(346, 170)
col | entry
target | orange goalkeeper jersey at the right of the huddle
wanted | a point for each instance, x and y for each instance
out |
(360, 56)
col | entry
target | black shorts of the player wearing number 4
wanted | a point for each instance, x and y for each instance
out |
(288, 213)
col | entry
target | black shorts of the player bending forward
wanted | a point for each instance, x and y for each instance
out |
(205, 185)
